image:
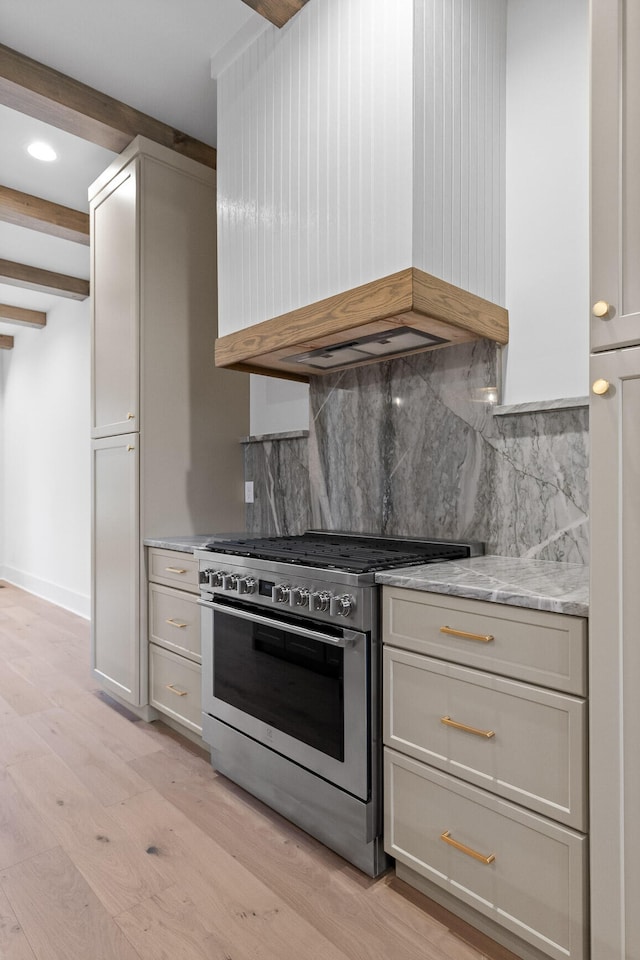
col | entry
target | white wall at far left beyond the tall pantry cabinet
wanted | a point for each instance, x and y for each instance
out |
(46, 458)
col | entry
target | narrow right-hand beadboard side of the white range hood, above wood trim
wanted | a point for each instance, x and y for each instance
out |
(459, 143)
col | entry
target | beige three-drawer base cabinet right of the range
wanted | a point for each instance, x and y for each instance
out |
(485, 775)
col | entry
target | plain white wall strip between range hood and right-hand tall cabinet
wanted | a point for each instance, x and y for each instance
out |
(547, 201)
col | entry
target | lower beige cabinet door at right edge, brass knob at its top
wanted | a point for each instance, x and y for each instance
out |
(615, 657)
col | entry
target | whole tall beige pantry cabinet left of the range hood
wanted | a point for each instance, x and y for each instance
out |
(165, 422)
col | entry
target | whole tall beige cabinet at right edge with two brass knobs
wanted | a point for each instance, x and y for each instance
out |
(615, 482)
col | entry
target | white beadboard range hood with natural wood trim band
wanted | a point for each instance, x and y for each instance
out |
(360, 204)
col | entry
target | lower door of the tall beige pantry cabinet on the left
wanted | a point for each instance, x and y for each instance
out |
(115, 640)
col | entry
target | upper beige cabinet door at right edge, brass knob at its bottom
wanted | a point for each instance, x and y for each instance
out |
(615, 161)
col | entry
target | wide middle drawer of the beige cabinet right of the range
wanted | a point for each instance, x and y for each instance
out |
(523, 742)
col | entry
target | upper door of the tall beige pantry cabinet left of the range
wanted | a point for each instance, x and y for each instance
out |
(114, 307)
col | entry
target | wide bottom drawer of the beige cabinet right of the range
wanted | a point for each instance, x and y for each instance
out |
(523, 871)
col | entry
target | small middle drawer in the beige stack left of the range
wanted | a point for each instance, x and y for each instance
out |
(174, 620)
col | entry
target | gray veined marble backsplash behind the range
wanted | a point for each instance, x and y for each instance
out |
(411, 447)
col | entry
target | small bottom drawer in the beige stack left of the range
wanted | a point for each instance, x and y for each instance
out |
(174, 684)
